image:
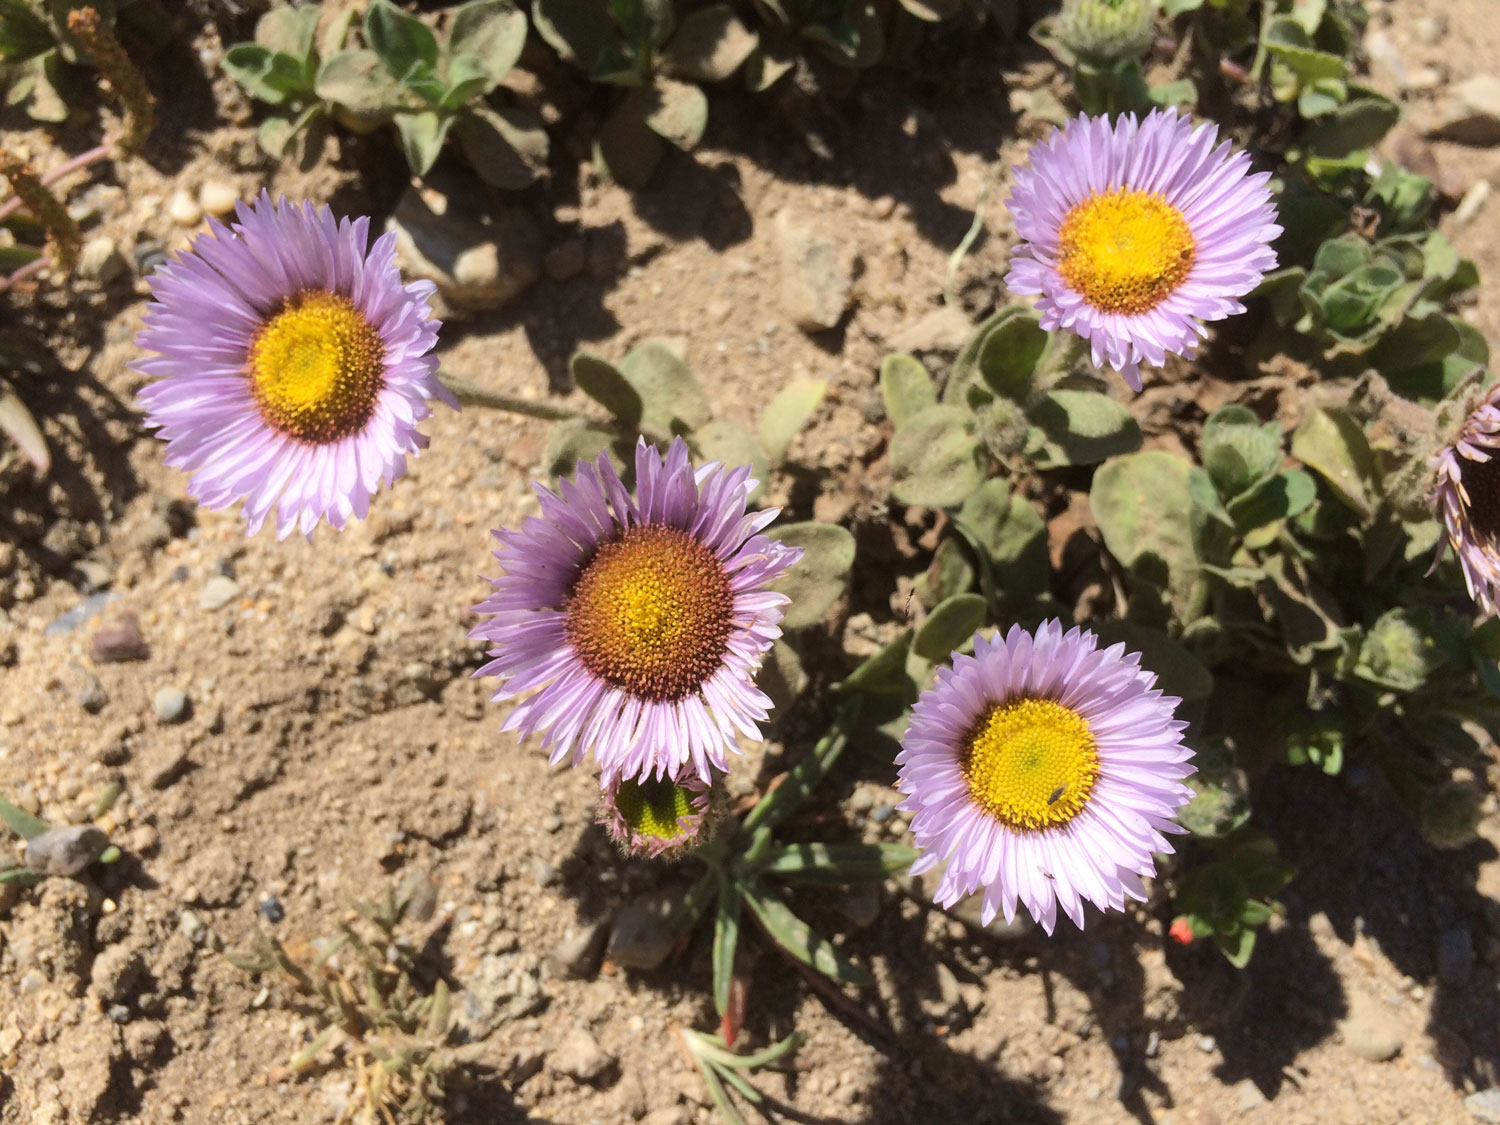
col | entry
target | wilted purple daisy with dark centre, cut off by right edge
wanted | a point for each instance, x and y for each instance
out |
(1469, 500)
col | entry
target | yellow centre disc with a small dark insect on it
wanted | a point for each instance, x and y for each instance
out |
(1031, 763)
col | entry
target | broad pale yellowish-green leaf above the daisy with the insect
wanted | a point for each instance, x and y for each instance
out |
(1144, 509)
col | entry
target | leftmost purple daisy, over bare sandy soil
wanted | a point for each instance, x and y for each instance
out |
(293, 365)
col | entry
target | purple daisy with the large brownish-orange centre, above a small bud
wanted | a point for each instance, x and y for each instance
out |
(638, 625)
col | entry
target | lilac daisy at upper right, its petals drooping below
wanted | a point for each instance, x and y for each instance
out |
(1135, 232)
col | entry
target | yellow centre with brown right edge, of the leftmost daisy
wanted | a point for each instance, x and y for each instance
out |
(317, 368)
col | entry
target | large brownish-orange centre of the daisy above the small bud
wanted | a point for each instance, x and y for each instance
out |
(652, 613)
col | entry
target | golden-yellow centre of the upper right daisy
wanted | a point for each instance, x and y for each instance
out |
(1126, 251)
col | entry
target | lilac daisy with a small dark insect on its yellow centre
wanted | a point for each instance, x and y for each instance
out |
(1045, 772)
